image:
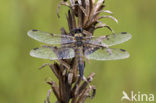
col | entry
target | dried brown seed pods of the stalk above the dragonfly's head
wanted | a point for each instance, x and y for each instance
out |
(87, 13)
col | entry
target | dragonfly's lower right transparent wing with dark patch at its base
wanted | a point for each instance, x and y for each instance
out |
(106, 54)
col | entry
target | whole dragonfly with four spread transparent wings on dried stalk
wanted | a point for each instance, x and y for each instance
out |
(80, 46)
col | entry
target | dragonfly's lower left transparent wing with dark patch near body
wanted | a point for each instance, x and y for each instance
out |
(52, 53)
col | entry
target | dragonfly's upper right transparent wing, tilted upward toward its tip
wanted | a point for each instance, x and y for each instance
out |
(110, 40)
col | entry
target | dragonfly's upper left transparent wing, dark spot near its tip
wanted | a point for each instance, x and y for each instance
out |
(48, 38)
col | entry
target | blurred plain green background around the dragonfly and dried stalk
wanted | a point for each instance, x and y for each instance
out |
(22, 82)
